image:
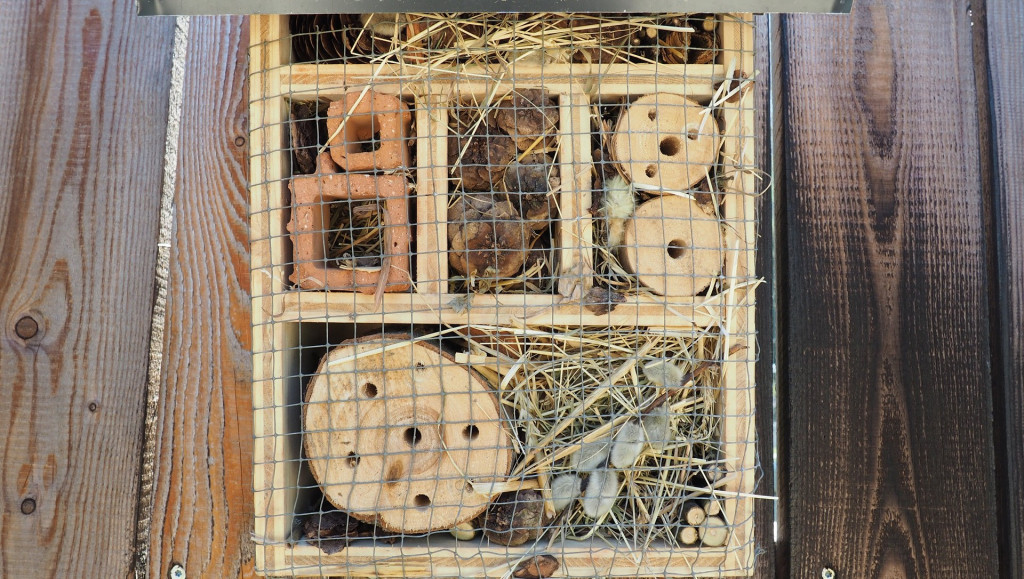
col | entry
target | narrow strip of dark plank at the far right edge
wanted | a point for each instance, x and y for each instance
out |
(1005, 21)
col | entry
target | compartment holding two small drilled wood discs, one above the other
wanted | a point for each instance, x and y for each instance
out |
(674, 189)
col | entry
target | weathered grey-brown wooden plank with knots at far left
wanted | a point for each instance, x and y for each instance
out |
(83, 95)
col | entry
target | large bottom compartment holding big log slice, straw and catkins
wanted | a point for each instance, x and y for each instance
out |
(468, 451)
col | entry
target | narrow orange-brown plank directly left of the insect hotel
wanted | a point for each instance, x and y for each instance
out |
(203, 509)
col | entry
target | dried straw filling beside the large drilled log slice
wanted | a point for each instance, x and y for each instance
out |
(566, 388)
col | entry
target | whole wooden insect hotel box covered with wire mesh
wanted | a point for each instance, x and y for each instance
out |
(503, 295)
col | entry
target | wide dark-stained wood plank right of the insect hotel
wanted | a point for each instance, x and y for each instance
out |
(889, 388)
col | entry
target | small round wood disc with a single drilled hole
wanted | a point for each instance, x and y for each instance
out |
(673, 246)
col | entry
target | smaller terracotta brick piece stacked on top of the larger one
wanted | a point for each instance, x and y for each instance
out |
(376, 113)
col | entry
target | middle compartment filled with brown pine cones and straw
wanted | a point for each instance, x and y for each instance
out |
(506, 178)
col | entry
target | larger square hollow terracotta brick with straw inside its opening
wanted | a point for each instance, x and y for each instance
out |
(311, 217)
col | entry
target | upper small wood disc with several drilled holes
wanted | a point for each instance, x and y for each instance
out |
(663, 141)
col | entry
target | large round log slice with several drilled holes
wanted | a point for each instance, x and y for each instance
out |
(395, 438)
